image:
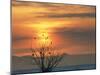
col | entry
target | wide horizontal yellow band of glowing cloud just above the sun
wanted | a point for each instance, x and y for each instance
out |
(45, 26)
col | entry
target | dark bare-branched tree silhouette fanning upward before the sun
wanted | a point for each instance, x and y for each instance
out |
(46, 57)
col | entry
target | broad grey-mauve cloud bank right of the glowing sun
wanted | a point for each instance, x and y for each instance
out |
(77, 36)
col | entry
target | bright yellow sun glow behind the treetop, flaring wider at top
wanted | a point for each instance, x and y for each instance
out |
(42, 31)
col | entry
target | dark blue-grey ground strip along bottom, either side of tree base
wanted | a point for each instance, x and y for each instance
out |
(58, 69)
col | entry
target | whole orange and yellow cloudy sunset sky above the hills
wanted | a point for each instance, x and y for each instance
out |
(71, 28)
